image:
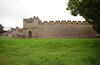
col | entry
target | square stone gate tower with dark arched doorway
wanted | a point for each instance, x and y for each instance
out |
(30, 27)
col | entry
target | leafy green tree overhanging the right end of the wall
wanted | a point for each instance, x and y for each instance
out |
(89, 9)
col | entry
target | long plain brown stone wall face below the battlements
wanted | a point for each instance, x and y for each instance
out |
(66, 31)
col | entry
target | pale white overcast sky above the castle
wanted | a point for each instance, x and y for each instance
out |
(12, 12)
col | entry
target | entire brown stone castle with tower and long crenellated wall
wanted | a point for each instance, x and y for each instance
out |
(35, 28)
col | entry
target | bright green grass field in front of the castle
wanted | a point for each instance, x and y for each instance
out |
(14, 51)
